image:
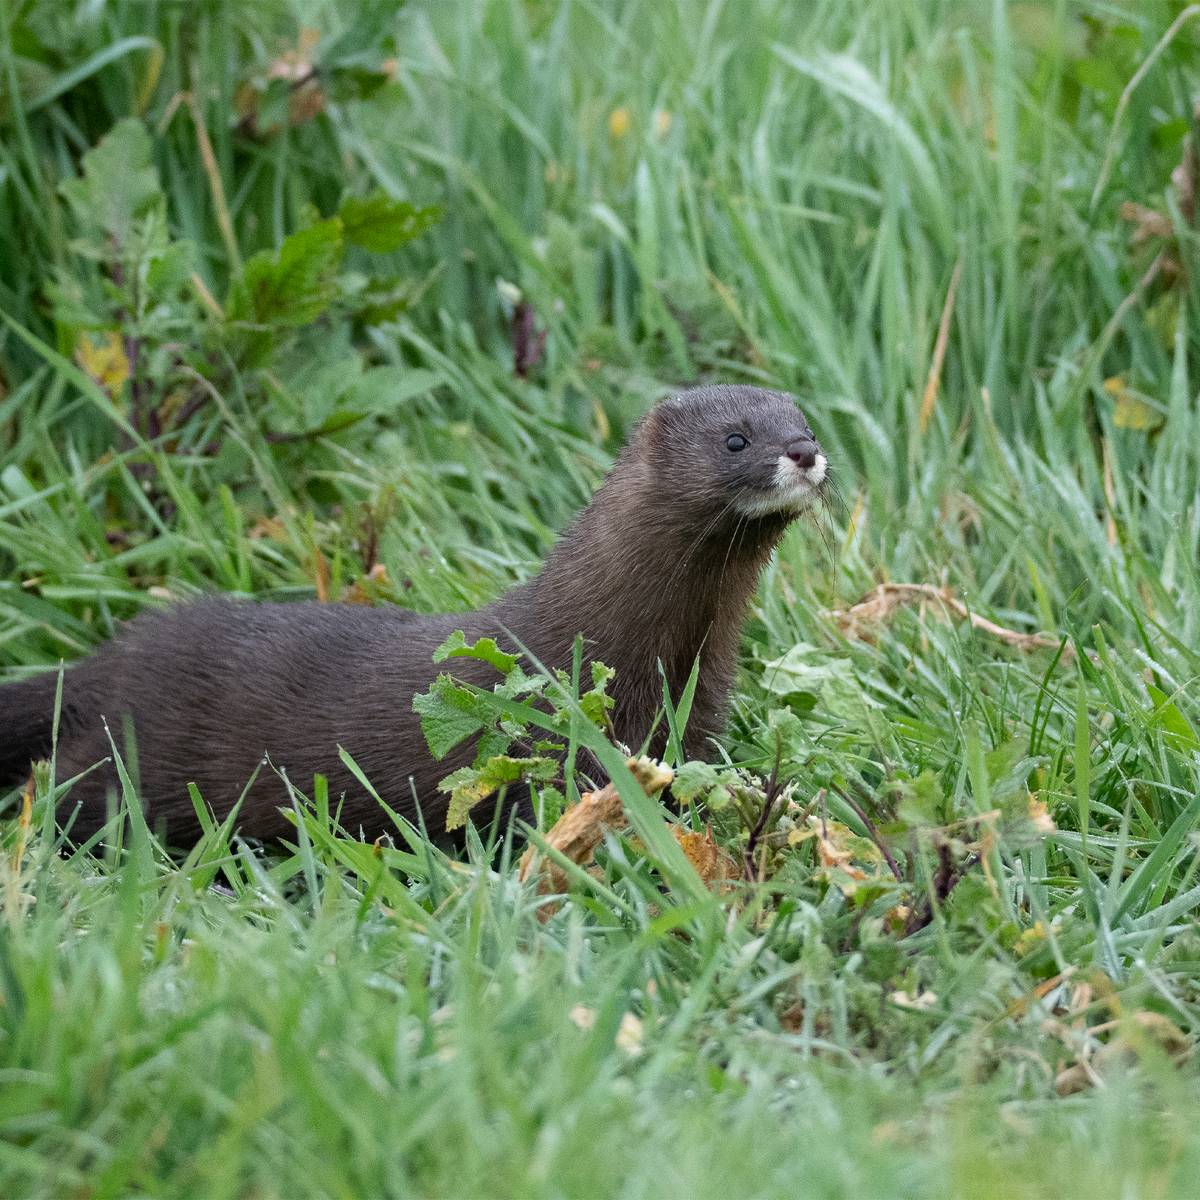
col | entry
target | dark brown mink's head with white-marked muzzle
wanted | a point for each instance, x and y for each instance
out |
(736, 451)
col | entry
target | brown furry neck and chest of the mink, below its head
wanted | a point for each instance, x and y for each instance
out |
(645, 583)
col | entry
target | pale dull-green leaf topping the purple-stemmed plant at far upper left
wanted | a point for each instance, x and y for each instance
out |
(119, 183)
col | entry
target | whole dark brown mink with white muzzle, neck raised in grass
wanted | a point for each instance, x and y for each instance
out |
(661, 566)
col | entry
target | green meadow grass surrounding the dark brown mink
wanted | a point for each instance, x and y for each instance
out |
(758, 191)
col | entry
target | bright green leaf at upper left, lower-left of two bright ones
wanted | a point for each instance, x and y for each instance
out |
(295, 286)
